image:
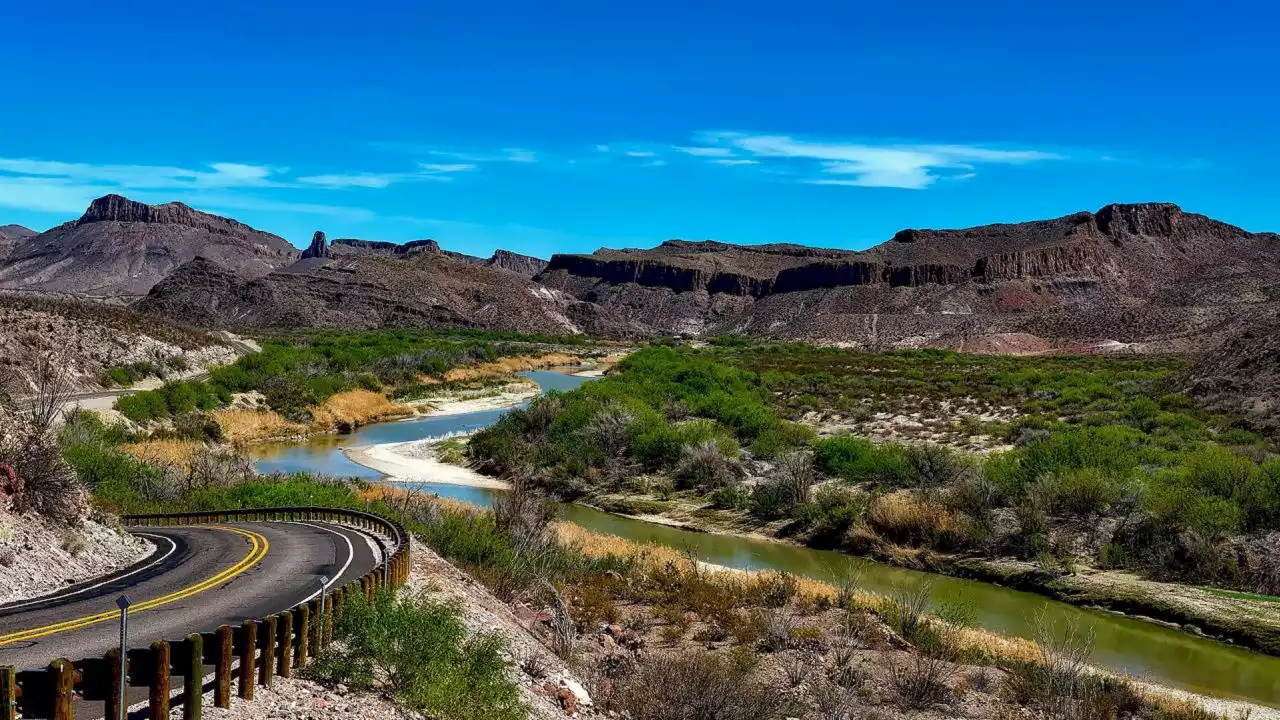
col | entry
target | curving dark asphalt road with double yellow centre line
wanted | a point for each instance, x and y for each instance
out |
(200, 577)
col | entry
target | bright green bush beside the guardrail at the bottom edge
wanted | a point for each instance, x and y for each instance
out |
(418, 650)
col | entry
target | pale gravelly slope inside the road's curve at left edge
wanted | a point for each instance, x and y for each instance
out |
(39, 557)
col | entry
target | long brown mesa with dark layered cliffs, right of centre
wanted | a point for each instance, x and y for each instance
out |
(1128, 277)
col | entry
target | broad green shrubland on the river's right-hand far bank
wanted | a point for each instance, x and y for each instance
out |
(1058, 462)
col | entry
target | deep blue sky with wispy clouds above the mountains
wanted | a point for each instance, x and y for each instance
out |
(548, 127)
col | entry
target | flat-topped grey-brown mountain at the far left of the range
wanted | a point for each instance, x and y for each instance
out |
(121, 249)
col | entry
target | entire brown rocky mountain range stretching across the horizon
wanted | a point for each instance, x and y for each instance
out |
(1133, 279)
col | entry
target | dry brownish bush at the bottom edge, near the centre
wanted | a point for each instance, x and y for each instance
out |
(698, 686)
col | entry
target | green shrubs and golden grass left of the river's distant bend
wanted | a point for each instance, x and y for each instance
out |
(319, 382)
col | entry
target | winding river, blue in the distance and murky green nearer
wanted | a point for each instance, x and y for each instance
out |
(1144, 650)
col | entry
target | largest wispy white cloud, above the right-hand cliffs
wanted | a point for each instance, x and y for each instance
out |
(865, 165)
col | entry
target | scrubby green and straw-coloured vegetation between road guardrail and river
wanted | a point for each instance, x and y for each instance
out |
(636, 621)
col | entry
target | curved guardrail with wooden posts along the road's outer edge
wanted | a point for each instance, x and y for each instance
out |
(266, 648)
